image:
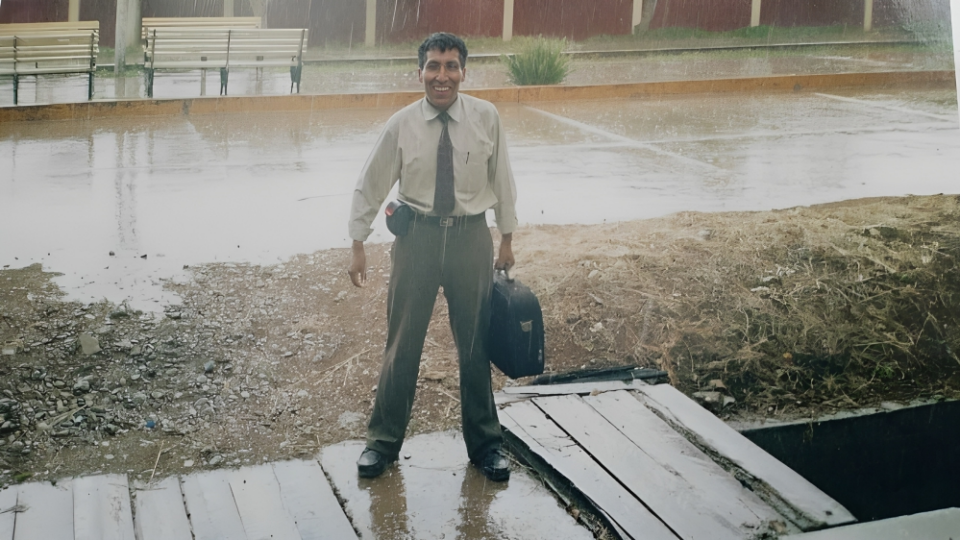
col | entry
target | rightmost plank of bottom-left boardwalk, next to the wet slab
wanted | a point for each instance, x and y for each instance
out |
(307, 495)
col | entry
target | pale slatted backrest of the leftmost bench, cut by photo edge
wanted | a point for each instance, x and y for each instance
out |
(49, 52)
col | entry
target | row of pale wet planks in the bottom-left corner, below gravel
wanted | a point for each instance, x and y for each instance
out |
(287, 500)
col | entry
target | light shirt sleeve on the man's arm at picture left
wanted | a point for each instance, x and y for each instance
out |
(379, 174)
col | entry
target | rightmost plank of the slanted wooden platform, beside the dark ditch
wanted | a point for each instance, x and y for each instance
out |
(781, 487)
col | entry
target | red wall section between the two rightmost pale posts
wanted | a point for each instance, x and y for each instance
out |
(812, 12)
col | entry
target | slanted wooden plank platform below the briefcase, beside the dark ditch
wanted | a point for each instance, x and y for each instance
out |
(658, 466)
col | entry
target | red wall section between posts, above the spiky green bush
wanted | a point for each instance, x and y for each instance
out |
(572, 19)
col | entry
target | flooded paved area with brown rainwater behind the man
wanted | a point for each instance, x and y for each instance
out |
(119, 206)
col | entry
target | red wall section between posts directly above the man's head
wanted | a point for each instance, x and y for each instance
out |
(412, 20)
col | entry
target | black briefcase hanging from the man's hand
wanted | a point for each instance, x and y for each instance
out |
(515, 340)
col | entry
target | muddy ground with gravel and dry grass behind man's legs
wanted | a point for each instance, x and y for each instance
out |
(783, 314)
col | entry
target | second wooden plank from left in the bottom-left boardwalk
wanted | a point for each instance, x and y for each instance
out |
(48, 511)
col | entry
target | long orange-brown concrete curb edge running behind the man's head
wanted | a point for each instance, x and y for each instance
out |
(520, 94)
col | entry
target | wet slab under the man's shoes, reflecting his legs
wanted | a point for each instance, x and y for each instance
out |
(436, 493)
